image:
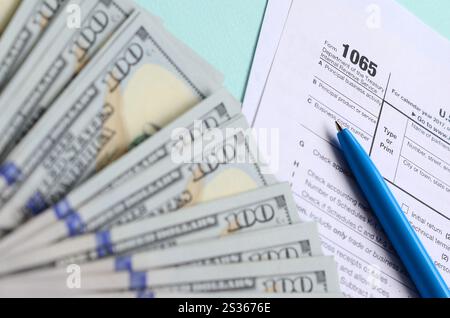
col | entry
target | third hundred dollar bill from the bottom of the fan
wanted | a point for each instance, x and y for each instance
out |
(264, 208)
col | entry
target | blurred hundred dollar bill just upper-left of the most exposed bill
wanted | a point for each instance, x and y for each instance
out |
(59, 56)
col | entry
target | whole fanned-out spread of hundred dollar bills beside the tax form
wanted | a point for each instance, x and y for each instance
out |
(128, 171)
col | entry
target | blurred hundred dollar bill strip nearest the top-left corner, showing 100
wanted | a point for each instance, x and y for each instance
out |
(29, 23)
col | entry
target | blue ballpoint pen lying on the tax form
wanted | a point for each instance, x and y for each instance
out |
(405, 241)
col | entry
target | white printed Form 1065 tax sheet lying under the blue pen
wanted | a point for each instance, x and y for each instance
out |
(385, 76)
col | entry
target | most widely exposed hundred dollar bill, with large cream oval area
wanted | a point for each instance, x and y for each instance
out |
(135, 86)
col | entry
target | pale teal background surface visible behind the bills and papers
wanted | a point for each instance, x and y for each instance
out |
(225, 32)
